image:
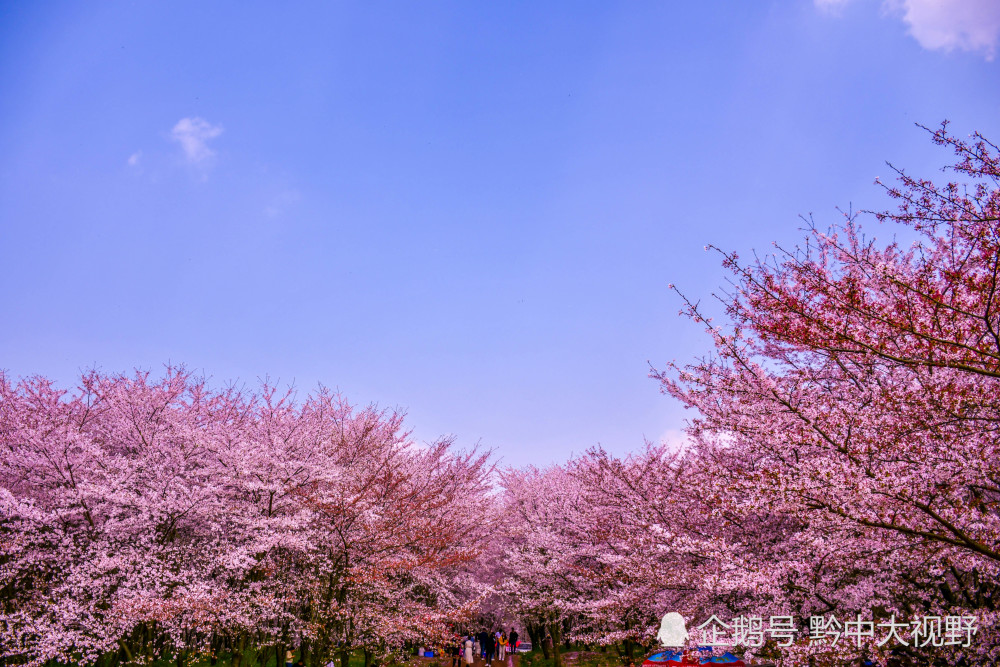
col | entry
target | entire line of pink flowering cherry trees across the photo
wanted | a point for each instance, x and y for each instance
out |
(843, 462)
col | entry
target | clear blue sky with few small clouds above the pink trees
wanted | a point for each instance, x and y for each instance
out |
(467, 210)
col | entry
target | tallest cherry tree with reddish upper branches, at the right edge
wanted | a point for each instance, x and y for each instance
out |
(853, 396)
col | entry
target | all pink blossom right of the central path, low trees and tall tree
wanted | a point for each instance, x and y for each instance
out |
(843, 460)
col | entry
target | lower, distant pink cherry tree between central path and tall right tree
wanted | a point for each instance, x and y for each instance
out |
(603, 546)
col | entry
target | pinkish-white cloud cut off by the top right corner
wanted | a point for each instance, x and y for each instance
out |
(944, 25)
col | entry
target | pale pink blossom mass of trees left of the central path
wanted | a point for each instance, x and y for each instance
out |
(145, 518)
